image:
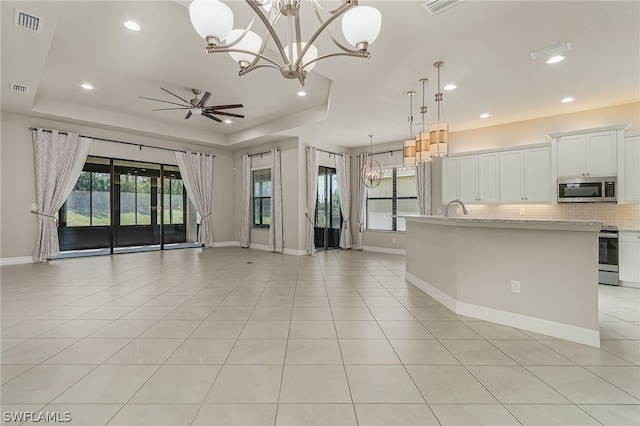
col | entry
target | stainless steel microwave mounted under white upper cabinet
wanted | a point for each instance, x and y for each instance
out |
(587, 190)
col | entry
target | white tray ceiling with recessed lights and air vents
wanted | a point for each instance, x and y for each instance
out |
(485, 46)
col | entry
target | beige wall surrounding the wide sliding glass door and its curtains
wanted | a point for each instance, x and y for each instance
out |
(18, 225)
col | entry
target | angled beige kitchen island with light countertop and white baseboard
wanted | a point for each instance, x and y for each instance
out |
(536, 275)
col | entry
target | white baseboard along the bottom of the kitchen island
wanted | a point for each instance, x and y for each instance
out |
(537, 325)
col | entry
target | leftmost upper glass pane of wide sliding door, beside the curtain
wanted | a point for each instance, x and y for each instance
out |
(89, 202)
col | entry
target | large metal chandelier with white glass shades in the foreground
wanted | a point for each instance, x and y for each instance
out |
(213, 21)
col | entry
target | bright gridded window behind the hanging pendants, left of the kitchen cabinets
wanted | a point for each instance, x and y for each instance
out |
(396, 195)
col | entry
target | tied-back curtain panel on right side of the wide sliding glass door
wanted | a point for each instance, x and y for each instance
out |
(196, 170)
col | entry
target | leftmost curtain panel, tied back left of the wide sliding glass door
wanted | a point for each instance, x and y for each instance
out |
(59, 159)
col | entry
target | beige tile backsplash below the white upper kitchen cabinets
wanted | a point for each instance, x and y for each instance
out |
(624, 216)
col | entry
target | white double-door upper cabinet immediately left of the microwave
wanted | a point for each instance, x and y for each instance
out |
(525, 176)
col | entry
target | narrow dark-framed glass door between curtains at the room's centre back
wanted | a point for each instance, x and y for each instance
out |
(328, 218)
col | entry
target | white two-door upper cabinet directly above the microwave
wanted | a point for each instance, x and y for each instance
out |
(588, 154)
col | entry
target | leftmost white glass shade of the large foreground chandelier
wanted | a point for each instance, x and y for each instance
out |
(211, 18)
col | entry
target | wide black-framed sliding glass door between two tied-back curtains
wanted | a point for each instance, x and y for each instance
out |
(120, 205)
